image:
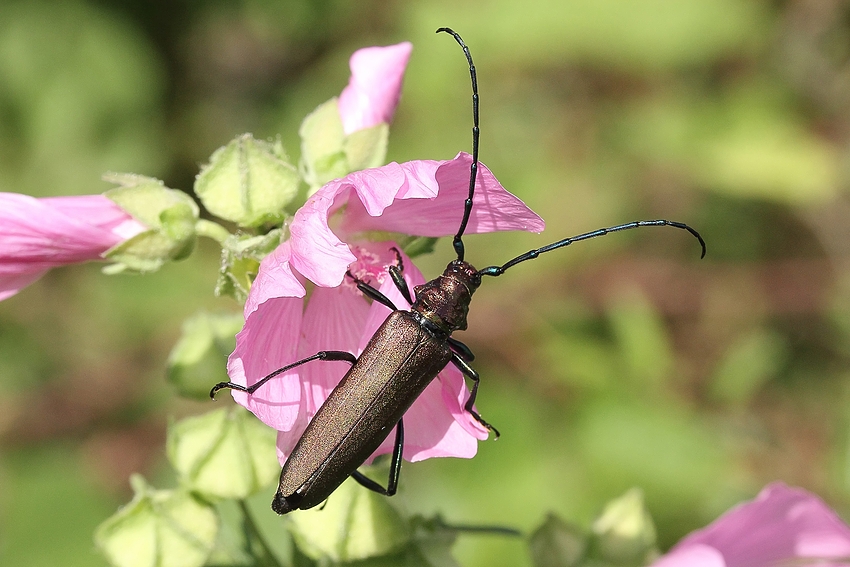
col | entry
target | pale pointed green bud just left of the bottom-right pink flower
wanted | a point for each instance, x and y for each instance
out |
(624, 532)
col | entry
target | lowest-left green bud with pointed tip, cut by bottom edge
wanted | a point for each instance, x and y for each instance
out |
(159, 528)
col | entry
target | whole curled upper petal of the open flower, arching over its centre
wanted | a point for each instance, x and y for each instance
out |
(419, 197)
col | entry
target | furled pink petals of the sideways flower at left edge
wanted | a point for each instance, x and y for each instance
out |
(39, 234)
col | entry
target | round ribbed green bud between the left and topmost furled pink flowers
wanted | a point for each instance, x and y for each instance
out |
(248, 182)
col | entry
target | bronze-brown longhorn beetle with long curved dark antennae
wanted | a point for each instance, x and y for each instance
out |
(406, 352)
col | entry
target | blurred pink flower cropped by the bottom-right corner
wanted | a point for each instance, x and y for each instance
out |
(782, 526)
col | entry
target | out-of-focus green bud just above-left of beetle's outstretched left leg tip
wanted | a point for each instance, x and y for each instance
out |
(199, 359)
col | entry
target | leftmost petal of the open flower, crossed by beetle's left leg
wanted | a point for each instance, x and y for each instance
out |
(268, 341)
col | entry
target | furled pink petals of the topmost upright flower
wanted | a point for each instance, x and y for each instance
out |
(374, 88)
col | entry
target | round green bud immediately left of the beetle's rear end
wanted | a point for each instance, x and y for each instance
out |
(225, 453)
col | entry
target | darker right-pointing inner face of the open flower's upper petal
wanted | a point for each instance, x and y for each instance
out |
(494, 208)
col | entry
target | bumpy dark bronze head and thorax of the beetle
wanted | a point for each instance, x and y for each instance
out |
(444, 301)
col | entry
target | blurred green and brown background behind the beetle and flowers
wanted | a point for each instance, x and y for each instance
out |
(620, 362)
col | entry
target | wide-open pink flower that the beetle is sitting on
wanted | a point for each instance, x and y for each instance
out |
(420, 197)
